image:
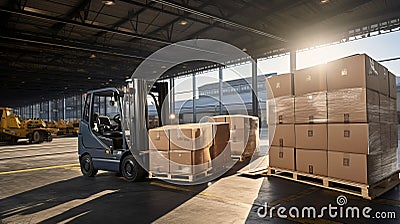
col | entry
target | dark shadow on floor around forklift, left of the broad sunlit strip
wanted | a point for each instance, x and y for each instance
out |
(139, 202)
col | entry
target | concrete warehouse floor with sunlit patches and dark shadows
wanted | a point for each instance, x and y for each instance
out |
(43, 183)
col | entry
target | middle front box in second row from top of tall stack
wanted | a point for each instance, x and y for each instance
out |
(311, 108)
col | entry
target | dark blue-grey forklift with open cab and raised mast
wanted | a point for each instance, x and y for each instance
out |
(113, 129)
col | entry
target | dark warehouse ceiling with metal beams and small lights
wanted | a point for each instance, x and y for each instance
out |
(55, 48)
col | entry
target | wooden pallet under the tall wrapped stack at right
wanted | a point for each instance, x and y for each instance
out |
(362, 190)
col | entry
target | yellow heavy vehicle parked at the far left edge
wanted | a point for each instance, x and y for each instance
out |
(13, 128)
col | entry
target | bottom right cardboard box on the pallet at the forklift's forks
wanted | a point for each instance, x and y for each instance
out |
(187, 162)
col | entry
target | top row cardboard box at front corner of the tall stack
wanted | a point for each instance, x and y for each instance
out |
(353, 72)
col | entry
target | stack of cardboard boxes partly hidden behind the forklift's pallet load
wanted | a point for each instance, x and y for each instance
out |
(244, 133)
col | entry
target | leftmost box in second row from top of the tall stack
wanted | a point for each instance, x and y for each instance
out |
(281, 110)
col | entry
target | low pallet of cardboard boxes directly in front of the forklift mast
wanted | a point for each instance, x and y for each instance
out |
(188, 152)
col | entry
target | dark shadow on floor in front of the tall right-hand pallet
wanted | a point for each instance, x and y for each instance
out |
(288, 194)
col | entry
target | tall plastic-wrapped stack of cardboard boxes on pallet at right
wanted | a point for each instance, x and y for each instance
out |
(336, 126)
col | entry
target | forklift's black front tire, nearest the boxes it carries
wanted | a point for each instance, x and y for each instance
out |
(131, 170)
